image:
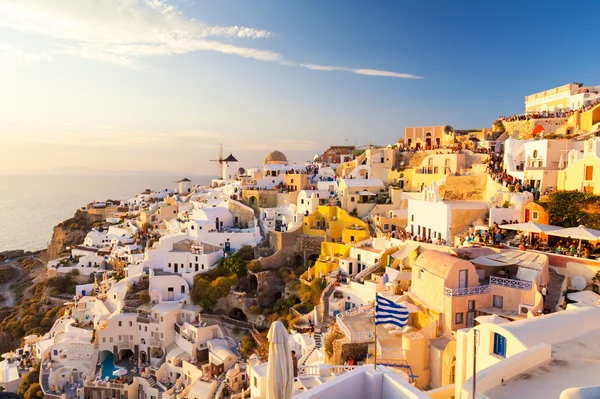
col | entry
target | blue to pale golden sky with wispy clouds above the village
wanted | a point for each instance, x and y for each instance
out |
(138, 85)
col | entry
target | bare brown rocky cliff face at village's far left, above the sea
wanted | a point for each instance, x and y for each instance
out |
(69, 233)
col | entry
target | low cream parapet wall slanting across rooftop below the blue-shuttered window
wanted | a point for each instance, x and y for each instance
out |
(493, 376)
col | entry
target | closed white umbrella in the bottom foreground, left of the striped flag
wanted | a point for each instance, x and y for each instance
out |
(280, 371)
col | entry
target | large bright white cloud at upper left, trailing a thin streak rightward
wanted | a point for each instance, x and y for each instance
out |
(124, 32)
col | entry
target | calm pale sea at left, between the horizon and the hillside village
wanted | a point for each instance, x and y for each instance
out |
(31, 205)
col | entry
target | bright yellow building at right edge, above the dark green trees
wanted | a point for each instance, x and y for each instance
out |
(583, 171)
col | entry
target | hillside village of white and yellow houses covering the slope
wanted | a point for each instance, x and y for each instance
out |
(489, 238)
